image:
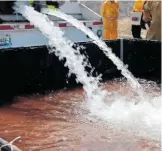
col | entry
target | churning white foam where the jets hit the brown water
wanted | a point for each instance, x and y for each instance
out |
(142, 120)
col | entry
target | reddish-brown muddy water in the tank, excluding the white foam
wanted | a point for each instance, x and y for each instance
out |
(58, 121)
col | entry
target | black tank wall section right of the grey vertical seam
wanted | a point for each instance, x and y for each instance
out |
(143, 58)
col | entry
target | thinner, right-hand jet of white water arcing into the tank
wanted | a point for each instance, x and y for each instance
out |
(108, 52)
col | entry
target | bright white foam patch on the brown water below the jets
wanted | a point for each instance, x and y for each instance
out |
(141, 120)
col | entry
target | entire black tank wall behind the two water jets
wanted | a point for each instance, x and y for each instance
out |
(34, 70)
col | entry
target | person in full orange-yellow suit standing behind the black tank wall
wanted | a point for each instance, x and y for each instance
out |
(110, 14)
